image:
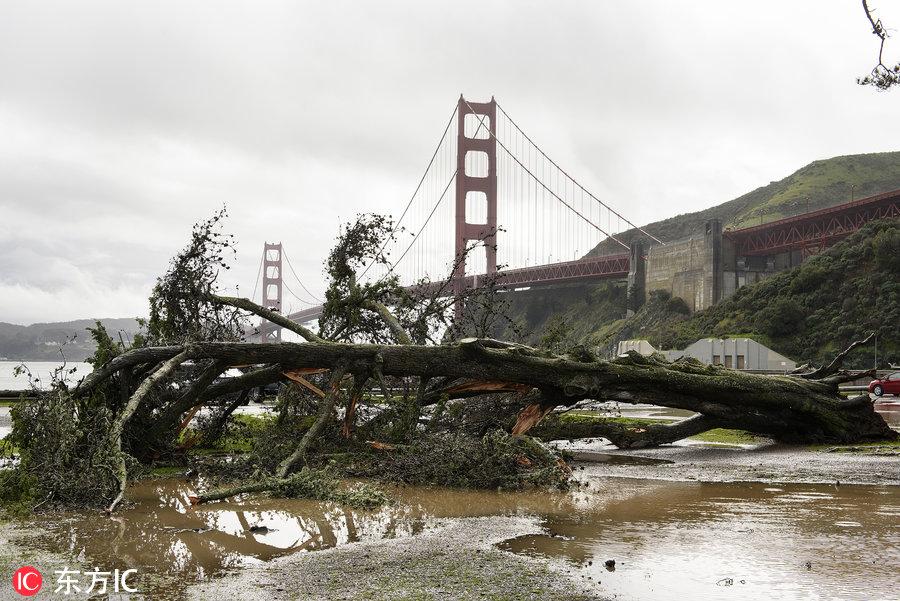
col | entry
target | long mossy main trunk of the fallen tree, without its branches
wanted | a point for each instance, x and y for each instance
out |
(790, 408)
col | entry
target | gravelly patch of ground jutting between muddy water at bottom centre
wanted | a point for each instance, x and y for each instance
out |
(456, 560)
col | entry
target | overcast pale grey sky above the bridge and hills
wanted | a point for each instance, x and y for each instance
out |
(124, 122)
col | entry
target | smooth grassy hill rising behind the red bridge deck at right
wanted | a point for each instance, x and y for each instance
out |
(819, 185)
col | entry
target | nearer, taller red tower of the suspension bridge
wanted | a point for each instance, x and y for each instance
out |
(472, 188)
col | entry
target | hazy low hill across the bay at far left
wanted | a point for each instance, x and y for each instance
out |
(42, 341)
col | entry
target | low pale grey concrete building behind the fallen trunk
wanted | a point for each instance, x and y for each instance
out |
(736, 353)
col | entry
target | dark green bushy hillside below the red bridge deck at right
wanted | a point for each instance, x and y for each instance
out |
(808, 313)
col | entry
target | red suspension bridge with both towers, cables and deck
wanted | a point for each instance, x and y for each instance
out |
(550, 221)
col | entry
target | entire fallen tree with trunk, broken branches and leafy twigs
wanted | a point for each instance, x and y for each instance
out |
(376, 353)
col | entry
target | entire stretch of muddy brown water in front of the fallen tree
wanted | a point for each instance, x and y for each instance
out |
(669, 539)
